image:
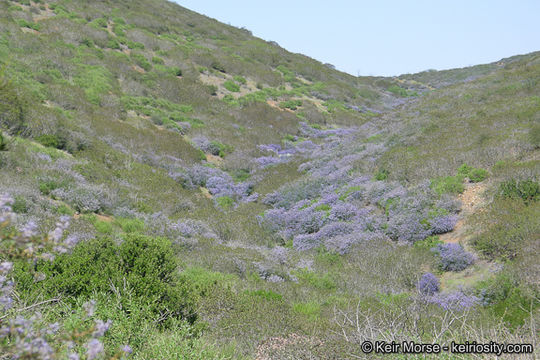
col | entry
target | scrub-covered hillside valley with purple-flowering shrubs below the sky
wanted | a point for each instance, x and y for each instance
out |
(215, 196)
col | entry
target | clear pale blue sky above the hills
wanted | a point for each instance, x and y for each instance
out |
(387, 37)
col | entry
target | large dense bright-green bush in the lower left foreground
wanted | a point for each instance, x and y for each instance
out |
(143, 266)
